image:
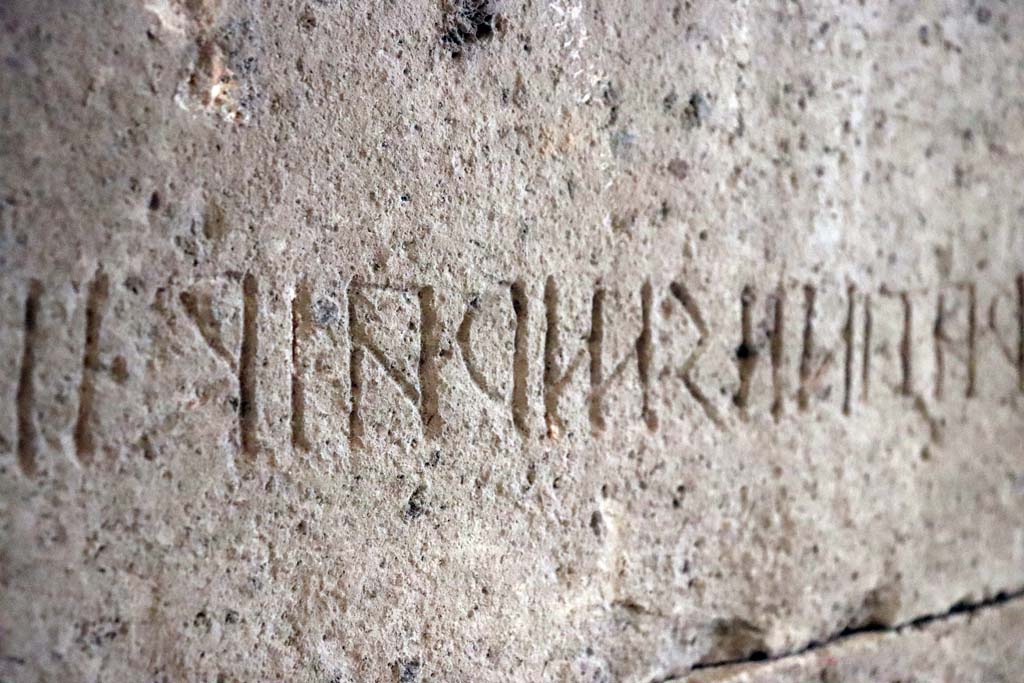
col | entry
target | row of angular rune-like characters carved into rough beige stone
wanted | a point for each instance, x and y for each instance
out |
(423, 389)
